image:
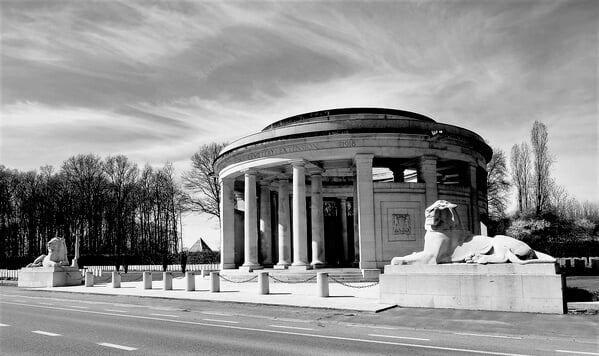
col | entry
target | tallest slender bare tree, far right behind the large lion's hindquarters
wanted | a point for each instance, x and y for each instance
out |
(542, 162)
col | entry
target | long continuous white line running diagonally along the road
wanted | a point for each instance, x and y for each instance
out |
(270, 331)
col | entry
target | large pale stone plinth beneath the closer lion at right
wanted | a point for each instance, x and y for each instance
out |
(534, 288)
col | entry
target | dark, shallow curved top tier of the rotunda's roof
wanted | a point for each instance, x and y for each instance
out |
(342, 113)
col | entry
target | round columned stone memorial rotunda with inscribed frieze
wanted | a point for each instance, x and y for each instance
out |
(344, 188)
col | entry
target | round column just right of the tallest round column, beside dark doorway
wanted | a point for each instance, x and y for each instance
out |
(317, 216)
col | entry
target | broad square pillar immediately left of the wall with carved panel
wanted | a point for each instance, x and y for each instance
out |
(365, 210)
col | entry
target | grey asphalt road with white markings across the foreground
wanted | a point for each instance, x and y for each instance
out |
(61, 324)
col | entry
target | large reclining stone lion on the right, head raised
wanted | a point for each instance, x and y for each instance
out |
(446, 241)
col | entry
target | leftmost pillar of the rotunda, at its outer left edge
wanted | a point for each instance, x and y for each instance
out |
(227, 224)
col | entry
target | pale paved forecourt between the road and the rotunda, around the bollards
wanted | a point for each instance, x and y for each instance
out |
(297, 294)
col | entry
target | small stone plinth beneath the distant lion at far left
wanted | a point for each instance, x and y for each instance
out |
(49, 277)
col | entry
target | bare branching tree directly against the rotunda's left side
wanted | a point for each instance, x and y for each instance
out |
(201, 181)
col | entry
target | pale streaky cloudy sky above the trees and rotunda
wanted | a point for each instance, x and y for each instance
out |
(156, 80)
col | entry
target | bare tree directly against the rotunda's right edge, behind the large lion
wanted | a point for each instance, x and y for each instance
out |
(498, 184)
